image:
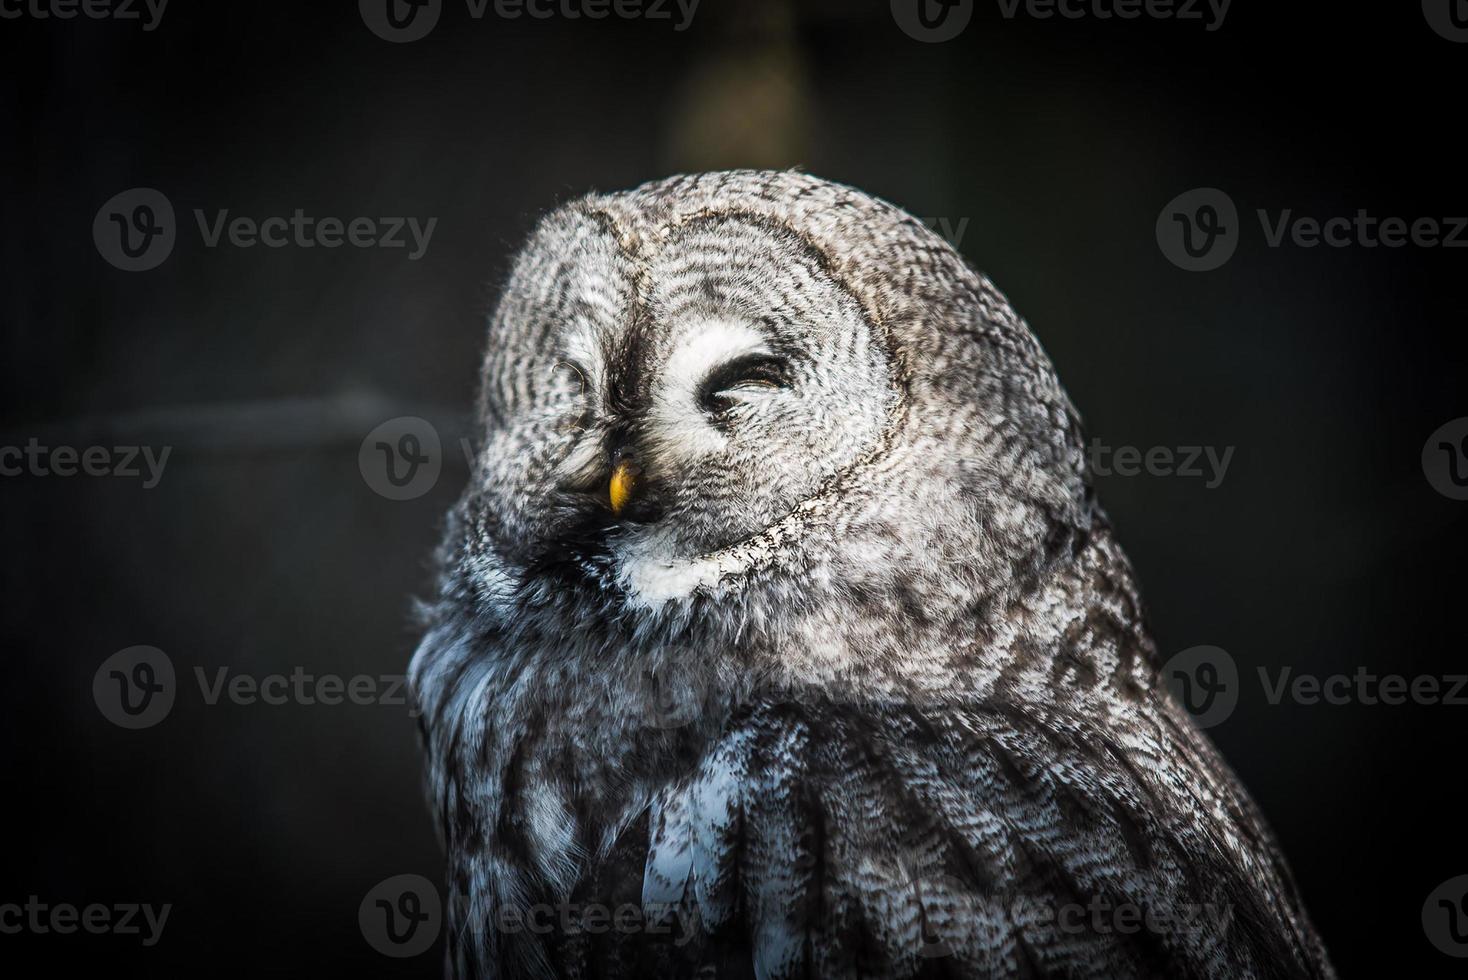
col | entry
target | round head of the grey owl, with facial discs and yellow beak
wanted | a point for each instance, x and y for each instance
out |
(744, 394)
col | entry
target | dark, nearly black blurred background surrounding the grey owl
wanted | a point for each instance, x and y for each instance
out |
(1046, 149)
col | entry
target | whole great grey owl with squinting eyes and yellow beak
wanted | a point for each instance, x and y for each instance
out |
(779, 633)
